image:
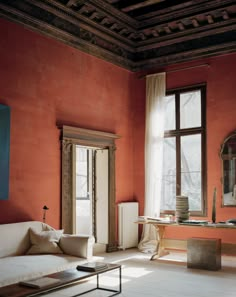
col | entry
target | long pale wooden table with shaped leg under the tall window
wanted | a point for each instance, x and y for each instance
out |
(160, 229)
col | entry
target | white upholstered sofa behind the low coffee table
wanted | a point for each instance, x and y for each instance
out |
(16, 265)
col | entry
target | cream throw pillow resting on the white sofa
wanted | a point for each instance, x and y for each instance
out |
(45, 242)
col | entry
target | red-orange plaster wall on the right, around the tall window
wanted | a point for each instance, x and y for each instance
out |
(219, 77)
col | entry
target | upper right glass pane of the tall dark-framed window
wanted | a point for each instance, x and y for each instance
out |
(190, 109)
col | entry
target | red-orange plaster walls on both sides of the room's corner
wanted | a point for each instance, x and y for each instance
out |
(46, 82)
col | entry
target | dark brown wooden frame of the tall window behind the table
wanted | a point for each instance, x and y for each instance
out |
(177, 133)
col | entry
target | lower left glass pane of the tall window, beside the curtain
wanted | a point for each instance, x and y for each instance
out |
(169, 174)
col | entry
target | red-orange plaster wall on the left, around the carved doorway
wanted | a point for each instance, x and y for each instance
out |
(46, 82)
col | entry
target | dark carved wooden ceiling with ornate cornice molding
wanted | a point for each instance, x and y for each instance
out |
(133, 34)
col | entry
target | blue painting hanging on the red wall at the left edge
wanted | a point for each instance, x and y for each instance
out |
(4, 151)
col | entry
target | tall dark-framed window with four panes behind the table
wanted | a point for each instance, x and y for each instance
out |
(184, 149)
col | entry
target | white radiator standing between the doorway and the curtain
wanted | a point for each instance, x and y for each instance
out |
(128, 230)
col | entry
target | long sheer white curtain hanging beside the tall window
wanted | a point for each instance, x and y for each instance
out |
(155, 110)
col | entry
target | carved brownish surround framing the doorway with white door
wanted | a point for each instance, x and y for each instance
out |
(71, 136)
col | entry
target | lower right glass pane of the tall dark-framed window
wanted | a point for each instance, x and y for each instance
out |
(191, 170)
